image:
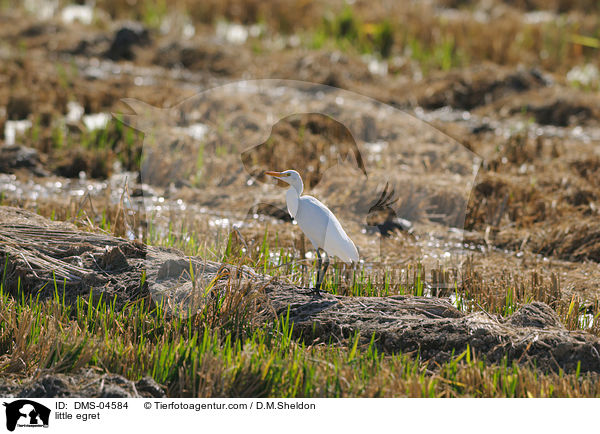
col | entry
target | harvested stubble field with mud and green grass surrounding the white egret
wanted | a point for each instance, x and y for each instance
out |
(143, 251)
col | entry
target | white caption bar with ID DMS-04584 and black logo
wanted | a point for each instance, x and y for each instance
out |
(306, 416)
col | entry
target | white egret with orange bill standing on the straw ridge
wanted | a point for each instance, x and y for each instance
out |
(318, 223)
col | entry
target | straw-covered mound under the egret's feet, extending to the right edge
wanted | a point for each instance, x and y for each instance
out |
(435, 330)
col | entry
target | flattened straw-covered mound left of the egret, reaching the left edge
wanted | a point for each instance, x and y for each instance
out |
(38, 255)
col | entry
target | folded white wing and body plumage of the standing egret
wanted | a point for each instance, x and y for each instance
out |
(324, 230)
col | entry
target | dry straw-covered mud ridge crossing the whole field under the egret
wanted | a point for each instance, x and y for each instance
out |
(428, 326)
